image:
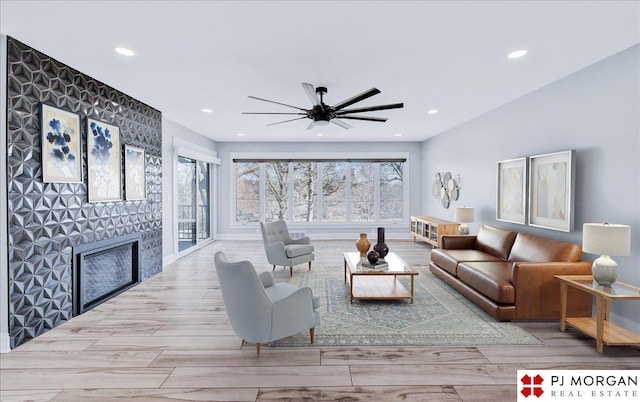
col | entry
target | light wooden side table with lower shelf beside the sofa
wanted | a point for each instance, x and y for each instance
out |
(598, 327)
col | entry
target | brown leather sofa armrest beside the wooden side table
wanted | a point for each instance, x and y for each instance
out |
(538, 291)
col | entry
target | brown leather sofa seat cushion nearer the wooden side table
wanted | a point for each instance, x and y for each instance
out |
(492, 279)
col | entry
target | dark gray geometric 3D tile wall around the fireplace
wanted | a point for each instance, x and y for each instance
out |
(46, 220)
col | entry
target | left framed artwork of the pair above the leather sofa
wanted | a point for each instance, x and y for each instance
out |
(512, 191)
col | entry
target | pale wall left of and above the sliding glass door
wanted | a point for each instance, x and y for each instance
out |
(172, 134)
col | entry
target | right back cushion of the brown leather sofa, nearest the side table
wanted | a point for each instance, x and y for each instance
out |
(532, 248)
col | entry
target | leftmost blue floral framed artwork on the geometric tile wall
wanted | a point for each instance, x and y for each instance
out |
(61, 145)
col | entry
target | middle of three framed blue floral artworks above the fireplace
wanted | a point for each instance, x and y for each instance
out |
(103, 162)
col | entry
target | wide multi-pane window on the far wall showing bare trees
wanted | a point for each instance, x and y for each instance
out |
(319, 191)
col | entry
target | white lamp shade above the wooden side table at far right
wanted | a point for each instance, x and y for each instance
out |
(606, 239)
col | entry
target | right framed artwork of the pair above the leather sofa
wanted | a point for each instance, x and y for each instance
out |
(551, 190)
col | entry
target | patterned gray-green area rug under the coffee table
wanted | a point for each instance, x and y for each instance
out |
(440, 316)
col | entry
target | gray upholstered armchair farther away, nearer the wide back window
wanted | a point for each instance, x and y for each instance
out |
(281, 249)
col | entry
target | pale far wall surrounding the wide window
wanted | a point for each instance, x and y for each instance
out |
(227, 230)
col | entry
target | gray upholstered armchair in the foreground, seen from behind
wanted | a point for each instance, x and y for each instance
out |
(260, 311)
